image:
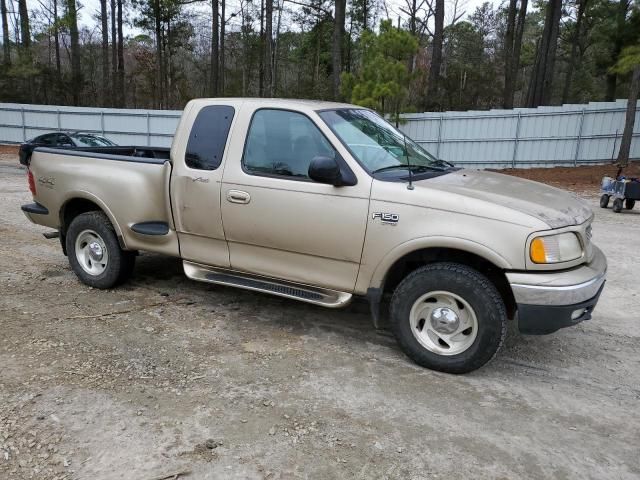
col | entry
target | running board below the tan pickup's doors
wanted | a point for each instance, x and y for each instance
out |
(304, 293)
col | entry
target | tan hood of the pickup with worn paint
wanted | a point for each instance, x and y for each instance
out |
(556, 207)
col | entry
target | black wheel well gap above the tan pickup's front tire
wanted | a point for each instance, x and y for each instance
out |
(410, 262)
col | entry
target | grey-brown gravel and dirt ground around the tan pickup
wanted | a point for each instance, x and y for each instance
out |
(165, 375)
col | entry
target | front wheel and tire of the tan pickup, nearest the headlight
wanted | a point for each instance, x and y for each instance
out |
(432, 289)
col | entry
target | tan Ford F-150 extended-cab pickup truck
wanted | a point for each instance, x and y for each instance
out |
(321, 202)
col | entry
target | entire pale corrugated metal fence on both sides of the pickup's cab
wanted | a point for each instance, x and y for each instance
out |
(545, 136)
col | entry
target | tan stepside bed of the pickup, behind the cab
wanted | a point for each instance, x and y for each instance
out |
(129, 184)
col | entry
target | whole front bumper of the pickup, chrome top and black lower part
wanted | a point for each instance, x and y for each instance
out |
(549, 301)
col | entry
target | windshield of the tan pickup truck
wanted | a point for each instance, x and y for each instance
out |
(376, 144)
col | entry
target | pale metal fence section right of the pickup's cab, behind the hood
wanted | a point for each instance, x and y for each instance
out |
(525, 137)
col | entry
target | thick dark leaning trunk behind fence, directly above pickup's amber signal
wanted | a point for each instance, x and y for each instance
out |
(542, 78)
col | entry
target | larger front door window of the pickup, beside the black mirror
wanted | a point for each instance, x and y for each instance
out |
(284, 143)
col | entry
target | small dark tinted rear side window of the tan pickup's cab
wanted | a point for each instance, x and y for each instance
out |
(208, 137)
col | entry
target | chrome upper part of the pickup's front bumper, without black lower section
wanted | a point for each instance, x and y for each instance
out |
(567, 287)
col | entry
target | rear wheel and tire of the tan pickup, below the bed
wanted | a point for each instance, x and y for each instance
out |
(101, 263)
